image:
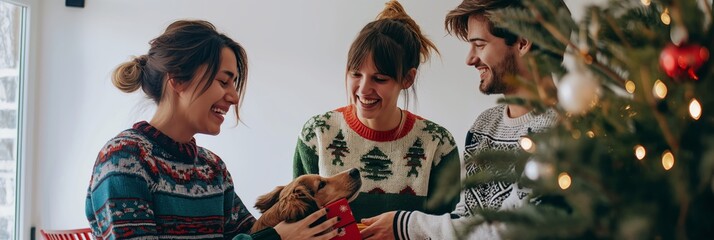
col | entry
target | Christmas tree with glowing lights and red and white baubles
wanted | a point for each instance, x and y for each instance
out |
(633, 154)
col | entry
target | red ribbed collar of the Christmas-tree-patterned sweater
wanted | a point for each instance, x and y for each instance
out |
(353, 122)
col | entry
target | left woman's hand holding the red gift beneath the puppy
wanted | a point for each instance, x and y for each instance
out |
(302, 230)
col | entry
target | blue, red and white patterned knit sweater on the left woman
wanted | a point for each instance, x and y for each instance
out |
(146, 186)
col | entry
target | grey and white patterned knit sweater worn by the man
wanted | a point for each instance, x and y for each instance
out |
(492, 130)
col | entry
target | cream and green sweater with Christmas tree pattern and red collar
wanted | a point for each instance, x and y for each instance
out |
(399, 168)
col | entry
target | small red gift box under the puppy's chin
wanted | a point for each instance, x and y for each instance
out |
(341, 208)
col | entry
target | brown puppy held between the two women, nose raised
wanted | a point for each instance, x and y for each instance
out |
(305, 195)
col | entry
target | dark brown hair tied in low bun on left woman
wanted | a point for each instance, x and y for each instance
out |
(179, 52)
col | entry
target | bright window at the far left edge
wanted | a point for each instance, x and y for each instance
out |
(12, 39)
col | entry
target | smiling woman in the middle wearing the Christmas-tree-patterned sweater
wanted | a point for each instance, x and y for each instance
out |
(400, 155)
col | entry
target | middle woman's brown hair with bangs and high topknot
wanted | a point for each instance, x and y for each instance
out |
(395, 43)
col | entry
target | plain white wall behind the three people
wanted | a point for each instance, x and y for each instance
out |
(297, 52)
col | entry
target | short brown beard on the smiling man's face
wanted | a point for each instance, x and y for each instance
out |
(499, 73)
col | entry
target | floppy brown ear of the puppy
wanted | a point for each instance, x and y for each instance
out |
(298, 205)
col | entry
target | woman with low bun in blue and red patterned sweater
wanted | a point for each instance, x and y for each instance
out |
(152, 181)
